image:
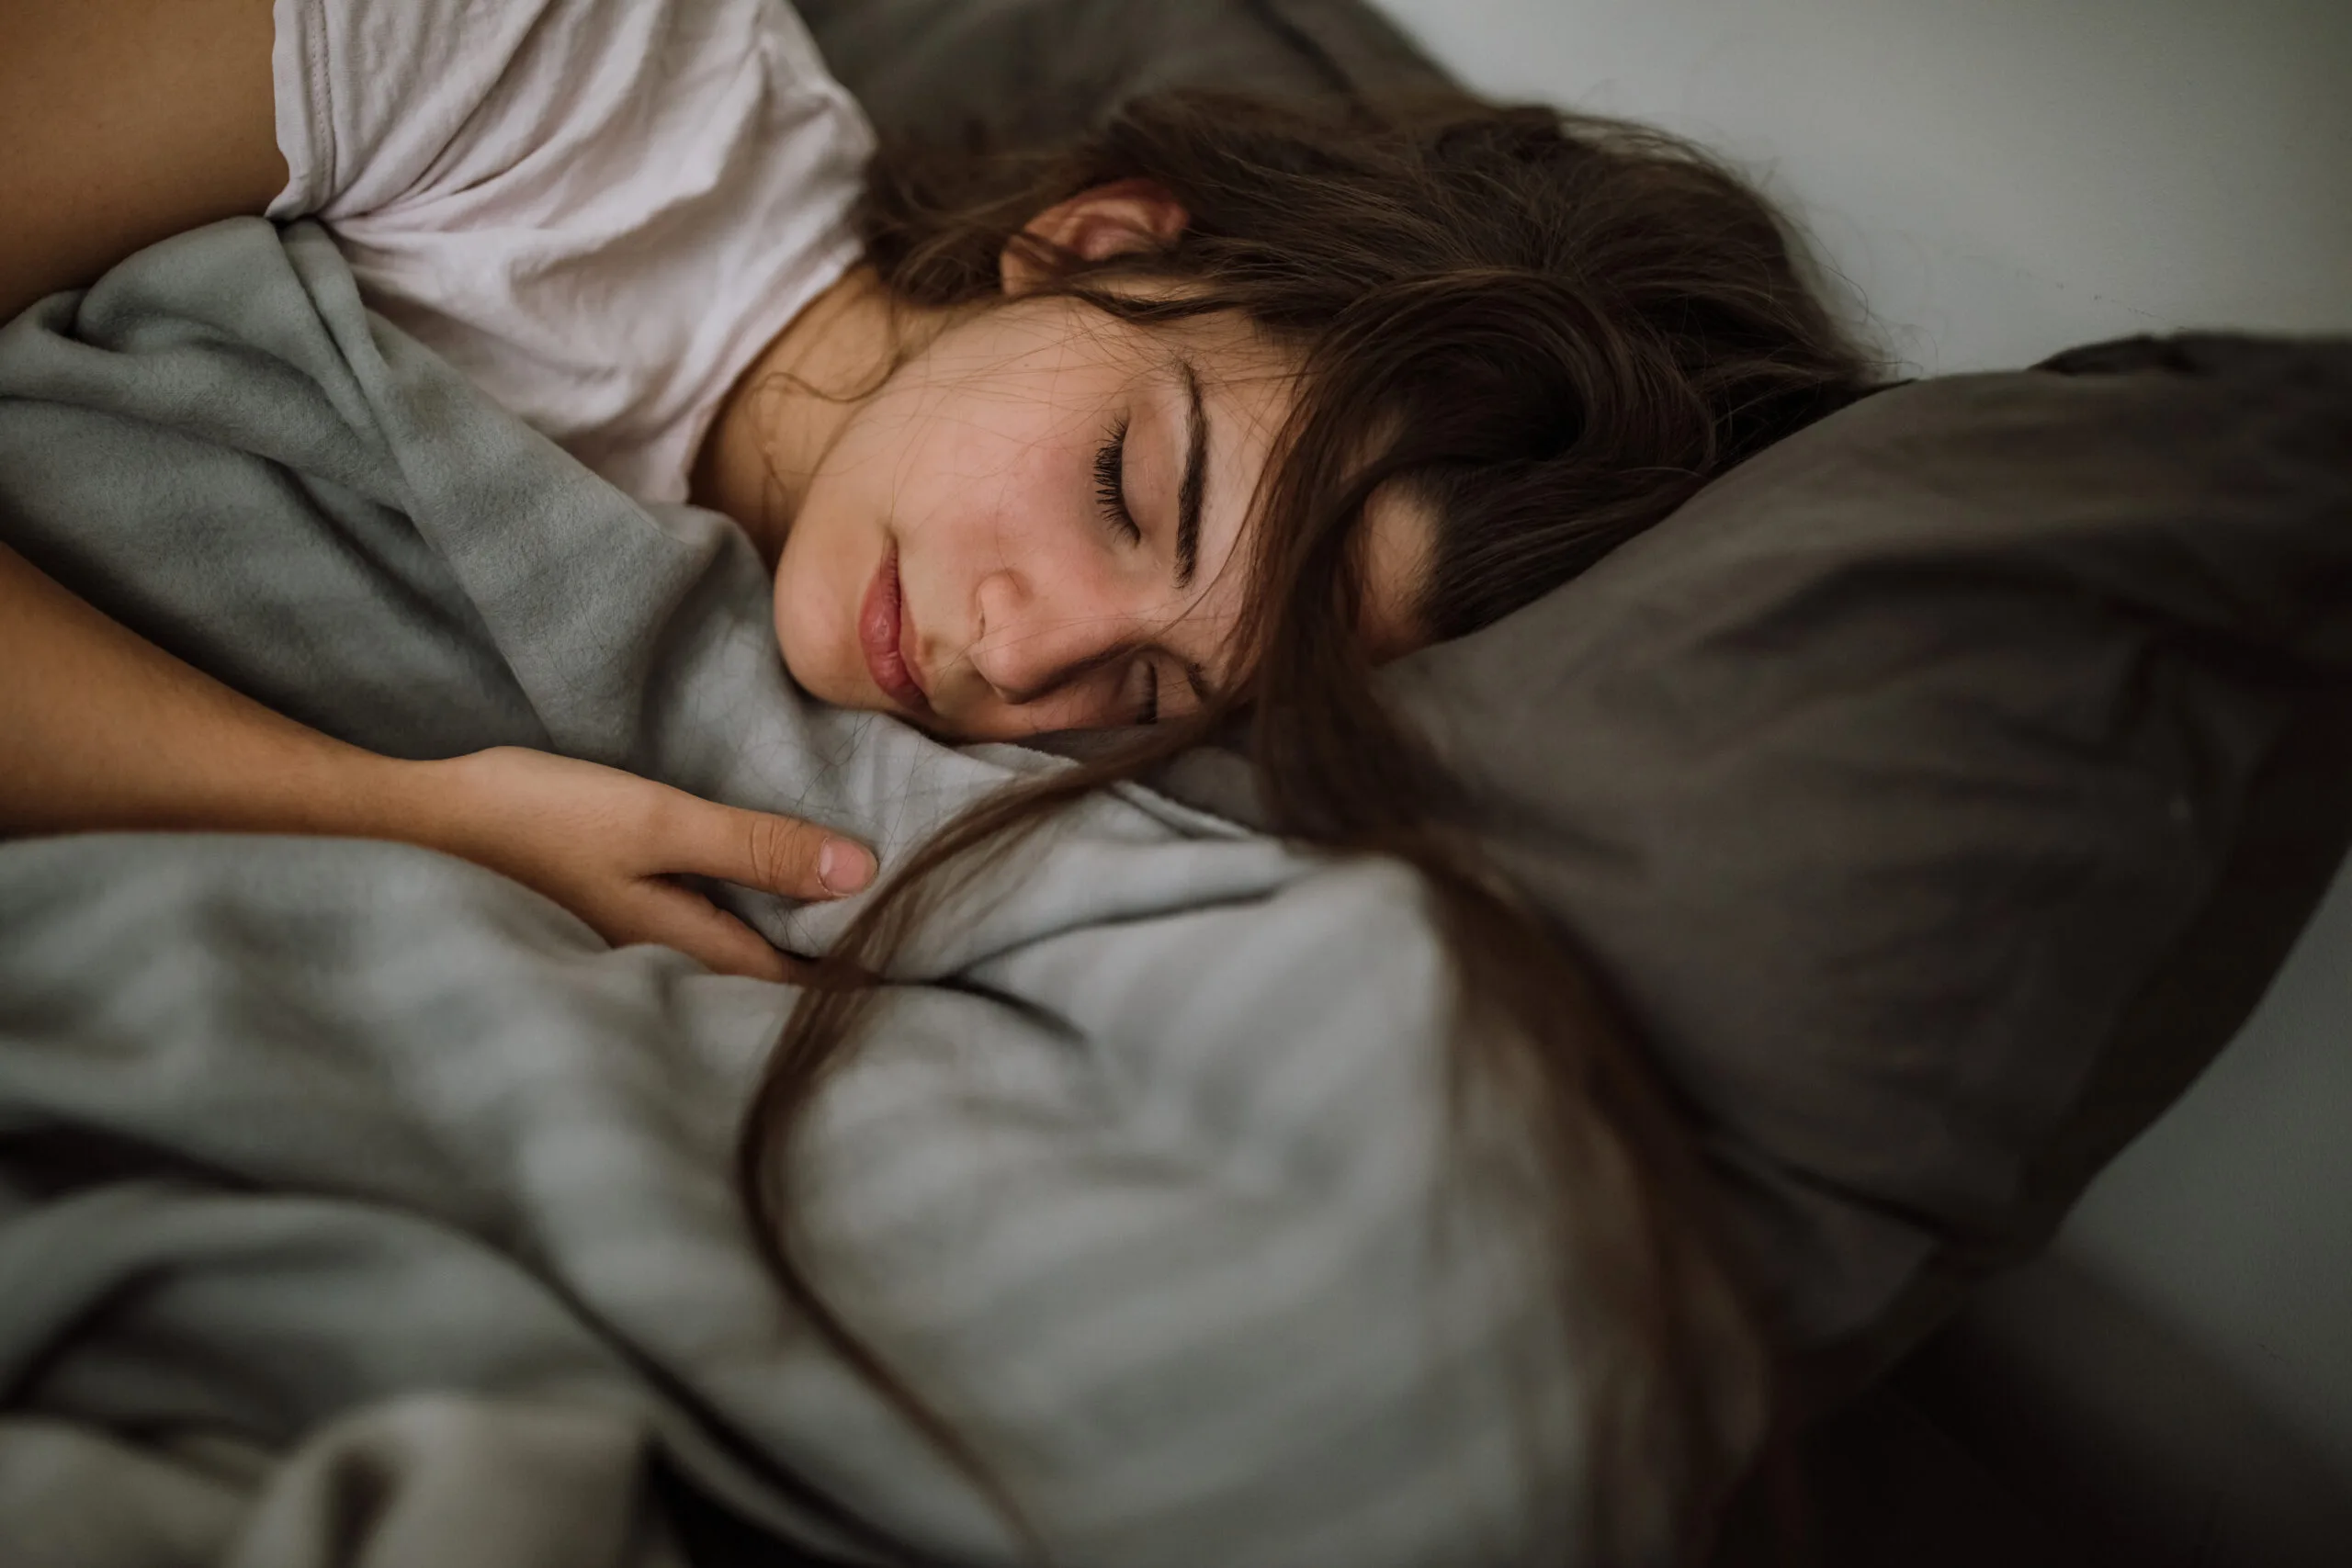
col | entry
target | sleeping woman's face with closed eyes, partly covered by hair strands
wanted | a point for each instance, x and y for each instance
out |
(1038, 523)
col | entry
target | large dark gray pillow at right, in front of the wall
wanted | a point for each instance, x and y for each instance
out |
(1942, 791)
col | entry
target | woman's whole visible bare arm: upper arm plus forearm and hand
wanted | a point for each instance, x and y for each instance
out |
(128, 121)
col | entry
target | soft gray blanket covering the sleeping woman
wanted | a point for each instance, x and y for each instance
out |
(359, 1205)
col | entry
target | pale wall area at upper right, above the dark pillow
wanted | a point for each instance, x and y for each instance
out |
(1998, 177)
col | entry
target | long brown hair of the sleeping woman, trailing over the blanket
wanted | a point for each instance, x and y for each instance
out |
(1549, 330)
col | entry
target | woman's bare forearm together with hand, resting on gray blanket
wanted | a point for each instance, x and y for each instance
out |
(109, 732)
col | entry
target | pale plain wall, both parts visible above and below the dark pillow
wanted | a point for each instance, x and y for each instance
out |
(1993, 182)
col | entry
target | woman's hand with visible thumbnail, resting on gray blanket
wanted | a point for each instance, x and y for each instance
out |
(610, 845)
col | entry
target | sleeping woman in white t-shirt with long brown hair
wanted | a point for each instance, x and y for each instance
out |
(1187, 424)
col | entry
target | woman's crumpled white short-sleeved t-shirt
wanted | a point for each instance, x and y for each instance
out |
(601, 210)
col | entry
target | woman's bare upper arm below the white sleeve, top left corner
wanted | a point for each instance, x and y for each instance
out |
(126, 121)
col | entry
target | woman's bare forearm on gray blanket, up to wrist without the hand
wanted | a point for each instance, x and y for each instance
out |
(105, 730)
